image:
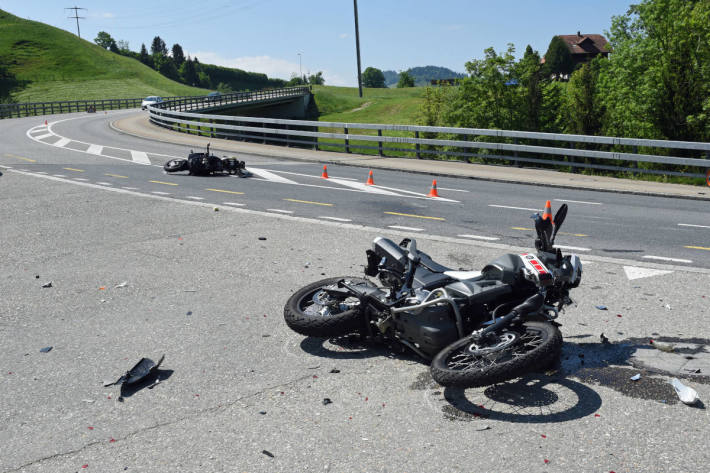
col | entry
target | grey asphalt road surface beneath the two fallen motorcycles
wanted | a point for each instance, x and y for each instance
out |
(153, 270)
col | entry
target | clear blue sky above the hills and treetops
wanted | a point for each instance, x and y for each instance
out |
(267, 35)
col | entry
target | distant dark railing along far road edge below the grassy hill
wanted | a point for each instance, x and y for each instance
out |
(16, 110)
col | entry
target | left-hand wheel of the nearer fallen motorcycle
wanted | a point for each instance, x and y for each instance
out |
(312, 312)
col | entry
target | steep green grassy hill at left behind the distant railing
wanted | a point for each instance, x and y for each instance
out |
(54, 64)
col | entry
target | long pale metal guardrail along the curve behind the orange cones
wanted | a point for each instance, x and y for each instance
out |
(617, 154)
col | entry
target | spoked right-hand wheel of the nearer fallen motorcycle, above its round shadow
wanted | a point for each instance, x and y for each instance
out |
(536, 349)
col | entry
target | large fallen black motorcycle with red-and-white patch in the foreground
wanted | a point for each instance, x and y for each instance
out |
(476, 328)
